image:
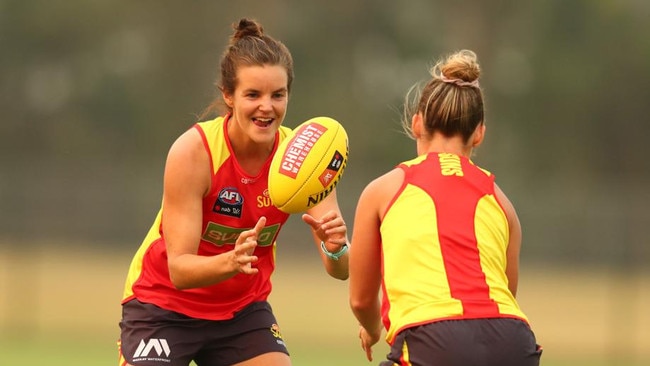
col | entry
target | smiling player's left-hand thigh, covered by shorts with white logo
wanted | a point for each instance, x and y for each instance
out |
(151, 336)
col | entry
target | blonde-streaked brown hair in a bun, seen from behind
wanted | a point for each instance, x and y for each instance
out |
(451, 102)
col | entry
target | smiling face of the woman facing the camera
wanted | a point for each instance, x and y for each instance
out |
(258, 104)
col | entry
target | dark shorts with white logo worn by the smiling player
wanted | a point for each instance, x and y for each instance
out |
(151, 336)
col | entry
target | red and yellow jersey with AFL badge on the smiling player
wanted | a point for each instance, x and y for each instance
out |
(235, 202)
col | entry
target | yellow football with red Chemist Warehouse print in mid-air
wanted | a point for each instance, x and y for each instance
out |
(308, 165)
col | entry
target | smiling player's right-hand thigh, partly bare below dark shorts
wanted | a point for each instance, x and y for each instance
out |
(252, 337)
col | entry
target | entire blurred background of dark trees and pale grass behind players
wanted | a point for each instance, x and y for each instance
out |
(93, 93)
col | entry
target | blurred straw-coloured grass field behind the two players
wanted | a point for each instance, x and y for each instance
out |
(61, 308)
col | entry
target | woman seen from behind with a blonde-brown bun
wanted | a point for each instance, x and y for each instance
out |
(442, 240)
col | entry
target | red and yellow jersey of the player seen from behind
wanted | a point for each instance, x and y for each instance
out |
(444, 240)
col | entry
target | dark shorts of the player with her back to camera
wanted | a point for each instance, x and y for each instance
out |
(486, 342)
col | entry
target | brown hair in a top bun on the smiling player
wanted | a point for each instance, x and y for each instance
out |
(248, 46)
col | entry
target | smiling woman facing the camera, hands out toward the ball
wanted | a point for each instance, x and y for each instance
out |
(197, 288)
